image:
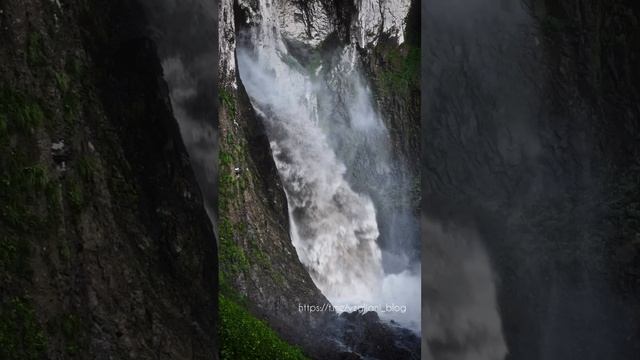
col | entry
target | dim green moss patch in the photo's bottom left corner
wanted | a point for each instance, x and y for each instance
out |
(21, 337)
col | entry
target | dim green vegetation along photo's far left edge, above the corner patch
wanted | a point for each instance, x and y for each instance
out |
(24, 183)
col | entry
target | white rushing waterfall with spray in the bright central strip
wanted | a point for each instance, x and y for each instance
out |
(332, 151)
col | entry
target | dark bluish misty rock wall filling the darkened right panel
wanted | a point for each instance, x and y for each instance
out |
(531, 137)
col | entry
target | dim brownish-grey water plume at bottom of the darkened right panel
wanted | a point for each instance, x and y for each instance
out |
(460, 309)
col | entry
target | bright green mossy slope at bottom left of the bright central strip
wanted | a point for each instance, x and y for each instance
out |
(244, 337)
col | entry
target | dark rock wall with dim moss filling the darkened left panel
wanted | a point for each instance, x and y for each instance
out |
(115, 254)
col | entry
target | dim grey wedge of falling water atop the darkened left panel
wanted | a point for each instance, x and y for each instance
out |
(186, 36)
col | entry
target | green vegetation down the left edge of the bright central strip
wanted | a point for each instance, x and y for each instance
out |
(242, 335)
